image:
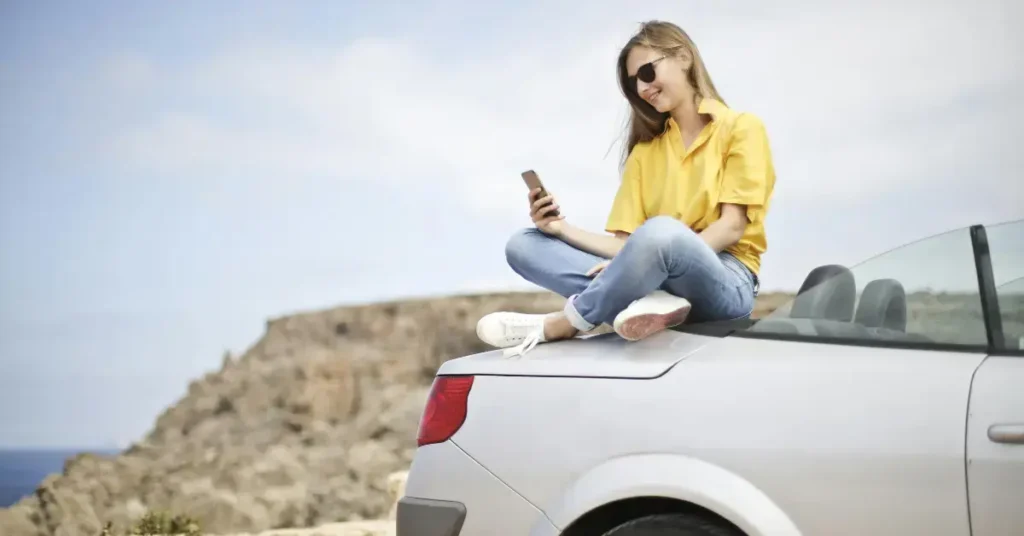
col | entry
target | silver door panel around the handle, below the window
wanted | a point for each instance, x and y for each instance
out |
(996, 471)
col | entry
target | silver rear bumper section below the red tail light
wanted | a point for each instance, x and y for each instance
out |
(444, 472)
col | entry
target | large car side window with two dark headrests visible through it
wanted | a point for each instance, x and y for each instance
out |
(923, 295)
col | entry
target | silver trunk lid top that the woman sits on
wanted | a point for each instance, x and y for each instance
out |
(599, 356)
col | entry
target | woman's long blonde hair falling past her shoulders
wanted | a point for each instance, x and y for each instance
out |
(646, 122)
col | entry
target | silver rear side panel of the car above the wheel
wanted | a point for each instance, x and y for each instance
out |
(882, 453)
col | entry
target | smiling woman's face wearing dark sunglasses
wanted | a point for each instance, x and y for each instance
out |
(660, 80)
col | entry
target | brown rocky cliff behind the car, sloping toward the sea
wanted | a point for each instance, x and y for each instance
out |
(302, 431)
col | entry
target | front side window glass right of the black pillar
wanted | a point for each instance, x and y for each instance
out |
(1006, 245)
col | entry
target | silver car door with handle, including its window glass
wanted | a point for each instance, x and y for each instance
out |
(996, 420)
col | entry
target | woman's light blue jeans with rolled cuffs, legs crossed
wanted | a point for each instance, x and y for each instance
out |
(663, 254)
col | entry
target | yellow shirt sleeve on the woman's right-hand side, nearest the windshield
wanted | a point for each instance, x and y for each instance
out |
(749, 176)
